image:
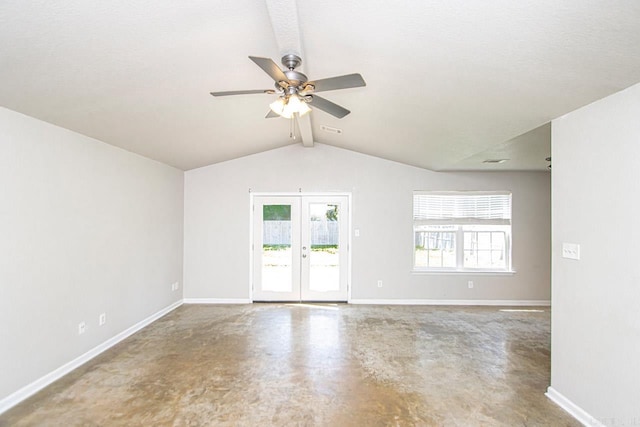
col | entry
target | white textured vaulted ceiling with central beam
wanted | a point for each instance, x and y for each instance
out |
(449, 84)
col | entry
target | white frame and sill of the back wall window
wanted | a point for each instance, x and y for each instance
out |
(459, 230)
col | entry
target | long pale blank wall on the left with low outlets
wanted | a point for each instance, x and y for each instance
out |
(85, 228)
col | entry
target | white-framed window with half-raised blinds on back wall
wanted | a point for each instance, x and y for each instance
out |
(462, 231)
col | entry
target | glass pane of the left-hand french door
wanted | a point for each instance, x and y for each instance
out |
(277, 261)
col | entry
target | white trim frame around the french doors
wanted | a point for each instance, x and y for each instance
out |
(297, 194)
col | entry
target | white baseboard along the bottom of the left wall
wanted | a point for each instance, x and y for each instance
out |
(30, 389)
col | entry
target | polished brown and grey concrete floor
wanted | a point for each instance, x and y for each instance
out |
(313, 365)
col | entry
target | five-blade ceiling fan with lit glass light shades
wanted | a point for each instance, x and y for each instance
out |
(296, 92)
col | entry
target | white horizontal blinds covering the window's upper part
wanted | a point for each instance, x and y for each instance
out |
(462, 207)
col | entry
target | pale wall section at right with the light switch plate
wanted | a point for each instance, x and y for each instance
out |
(595, 361)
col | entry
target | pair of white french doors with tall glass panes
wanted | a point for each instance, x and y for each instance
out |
(300, 248)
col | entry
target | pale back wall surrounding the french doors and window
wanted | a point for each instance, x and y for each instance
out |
(217, 257)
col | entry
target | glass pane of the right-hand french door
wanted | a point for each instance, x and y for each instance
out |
(324, 265)
